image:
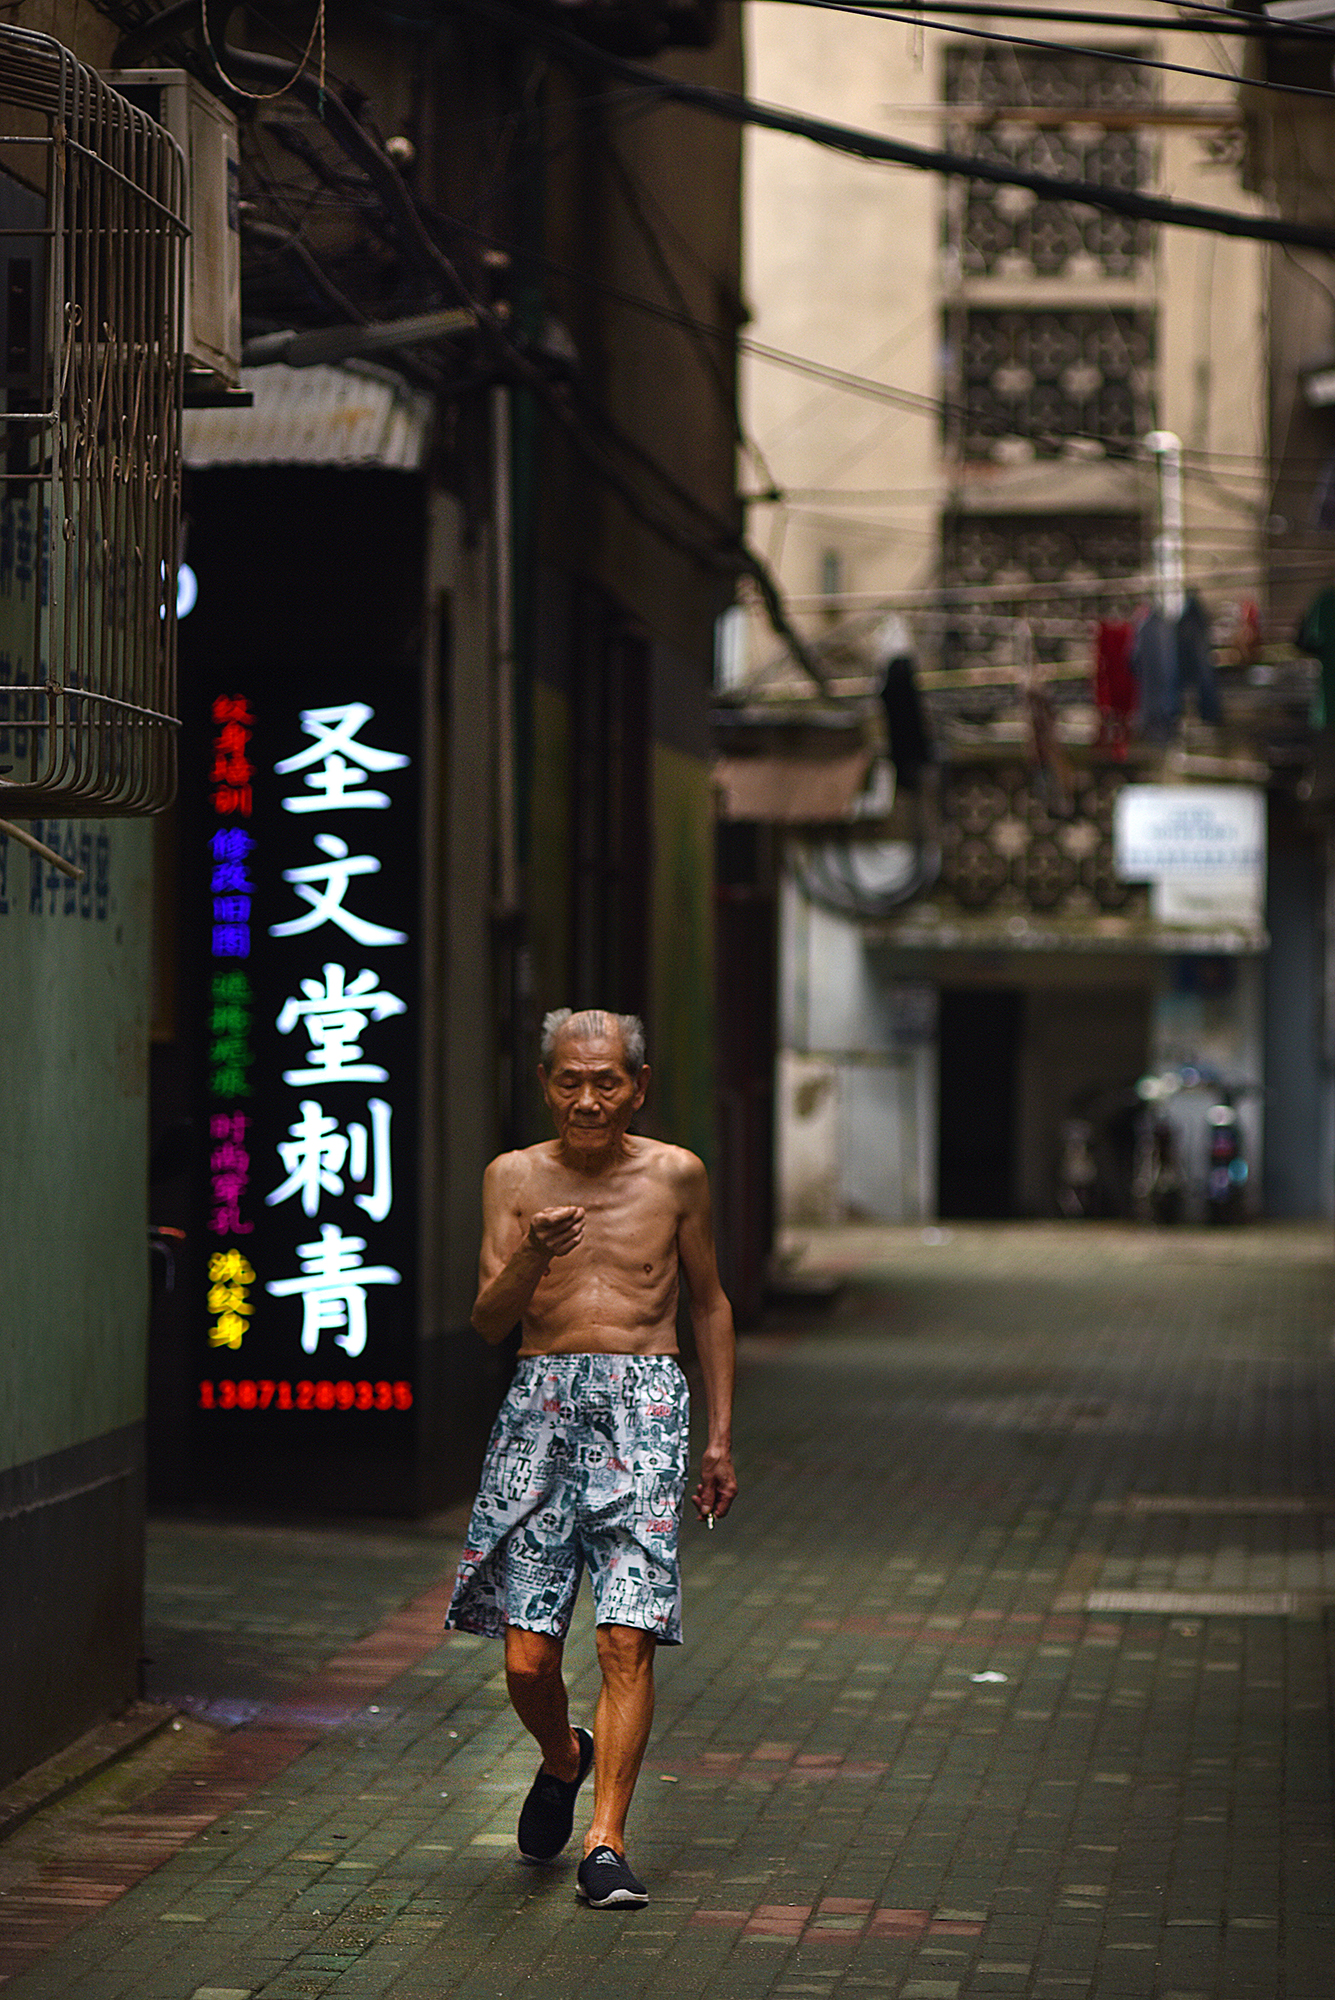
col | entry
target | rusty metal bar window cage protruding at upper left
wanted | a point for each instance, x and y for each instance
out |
(91, 353)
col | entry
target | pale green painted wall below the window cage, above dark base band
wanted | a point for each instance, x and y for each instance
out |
(73, 1155)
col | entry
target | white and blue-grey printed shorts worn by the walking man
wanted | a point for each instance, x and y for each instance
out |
(587, 1467)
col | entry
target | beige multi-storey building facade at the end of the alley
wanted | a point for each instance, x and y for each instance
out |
(950, 423)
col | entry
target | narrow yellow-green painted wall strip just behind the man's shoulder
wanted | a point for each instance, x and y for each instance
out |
(682, 1013)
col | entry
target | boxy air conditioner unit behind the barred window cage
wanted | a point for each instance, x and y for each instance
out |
(207, 135)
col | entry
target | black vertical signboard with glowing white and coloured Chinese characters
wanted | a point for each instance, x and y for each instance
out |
(305, 873)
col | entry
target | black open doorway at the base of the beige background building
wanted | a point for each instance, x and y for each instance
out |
(980, 1067)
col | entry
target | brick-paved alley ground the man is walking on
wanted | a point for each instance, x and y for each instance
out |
(1010, 1675)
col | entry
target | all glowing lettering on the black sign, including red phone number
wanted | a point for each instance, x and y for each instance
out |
(309, 1053)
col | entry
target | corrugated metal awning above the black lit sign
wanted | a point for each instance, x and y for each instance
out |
(351, 417)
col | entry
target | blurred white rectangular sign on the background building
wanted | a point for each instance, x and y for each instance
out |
(1166, 833)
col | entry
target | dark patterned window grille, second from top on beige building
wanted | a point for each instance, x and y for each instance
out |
(1040, 379)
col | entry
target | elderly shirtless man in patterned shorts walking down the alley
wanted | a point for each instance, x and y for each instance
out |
(585, 1239)
